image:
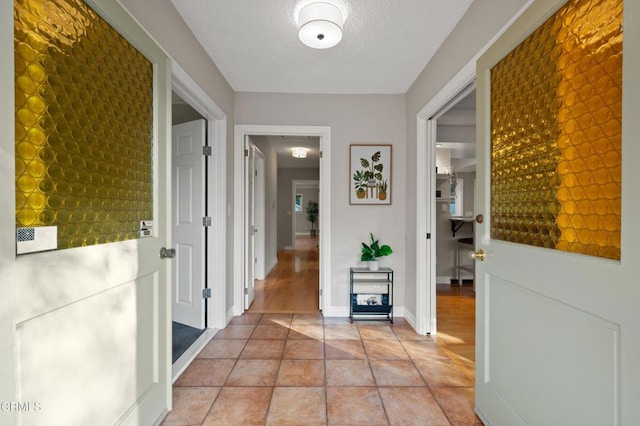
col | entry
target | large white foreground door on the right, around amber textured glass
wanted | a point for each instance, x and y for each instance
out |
(557, 333)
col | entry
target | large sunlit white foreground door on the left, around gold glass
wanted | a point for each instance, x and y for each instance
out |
(92, 326)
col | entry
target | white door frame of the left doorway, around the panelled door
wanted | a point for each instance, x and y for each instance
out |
(191, 103)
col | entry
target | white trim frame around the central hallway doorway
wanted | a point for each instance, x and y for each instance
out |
(323, 135)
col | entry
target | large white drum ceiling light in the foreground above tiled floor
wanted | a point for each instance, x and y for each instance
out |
(320, 25)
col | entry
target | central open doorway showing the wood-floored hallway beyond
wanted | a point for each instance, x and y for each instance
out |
(290, 250)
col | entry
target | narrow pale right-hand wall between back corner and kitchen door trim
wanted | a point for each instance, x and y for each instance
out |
(481, 22)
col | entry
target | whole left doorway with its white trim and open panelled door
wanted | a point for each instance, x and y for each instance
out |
(202, 269)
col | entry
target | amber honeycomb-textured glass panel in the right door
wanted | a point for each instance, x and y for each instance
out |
(556, 133)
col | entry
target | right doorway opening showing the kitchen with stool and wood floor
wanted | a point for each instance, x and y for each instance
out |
(455, 161)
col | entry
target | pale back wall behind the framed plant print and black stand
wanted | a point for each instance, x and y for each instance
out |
(353, 119)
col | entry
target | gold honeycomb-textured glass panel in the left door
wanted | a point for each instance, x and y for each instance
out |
(84, 105)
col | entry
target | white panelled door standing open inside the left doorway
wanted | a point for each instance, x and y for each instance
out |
(188, 140)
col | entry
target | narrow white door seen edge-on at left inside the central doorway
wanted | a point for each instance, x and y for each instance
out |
(250, 224)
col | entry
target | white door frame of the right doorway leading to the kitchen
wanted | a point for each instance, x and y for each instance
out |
(426, 141)
